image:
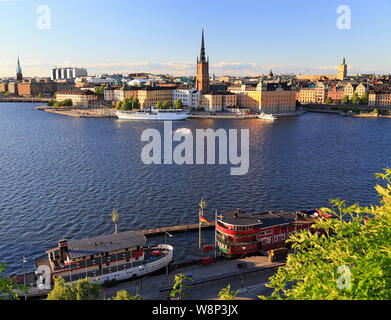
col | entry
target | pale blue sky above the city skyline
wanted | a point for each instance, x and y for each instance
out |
(164, 36)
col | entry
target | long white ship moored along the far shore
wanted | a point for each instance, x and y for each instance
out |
(154, 114)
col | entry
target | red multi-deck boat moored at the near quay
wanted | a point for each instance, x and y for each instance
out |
(239, 233)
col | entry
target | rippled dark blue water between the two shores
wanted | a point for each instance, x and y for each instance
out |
(62, 176)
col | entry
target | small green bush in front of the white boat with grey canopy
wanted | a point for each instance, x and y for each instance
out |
(84, 289)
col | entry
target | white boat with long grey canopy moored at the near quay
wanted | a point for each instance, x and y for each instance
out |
(116, 256)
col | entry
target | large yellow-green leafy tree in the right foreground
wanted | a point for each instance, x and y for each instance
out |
(352, 261)
